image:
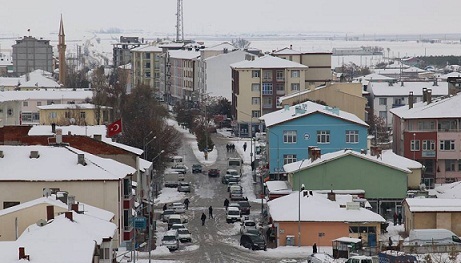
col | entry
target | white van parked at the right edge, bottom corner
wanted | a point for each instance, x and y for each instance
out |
(432, 237)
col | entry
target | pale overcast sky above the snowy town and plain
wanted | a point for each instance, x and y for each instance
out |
(234, 16)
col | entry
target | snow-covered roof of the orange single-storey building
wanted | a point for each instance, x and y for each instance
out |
(317, 208)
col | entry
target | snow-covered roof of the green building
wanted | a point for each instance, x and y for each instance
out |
(387, 158)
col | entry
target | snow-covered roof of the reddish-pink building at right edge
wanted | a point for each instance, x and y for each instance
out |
(443, 108)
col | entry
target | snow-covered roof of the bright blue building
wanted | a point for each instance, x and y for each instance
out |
(307, 108)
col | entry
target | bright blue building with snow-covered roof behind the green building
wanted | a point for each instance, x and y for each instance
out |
(293, 129)
